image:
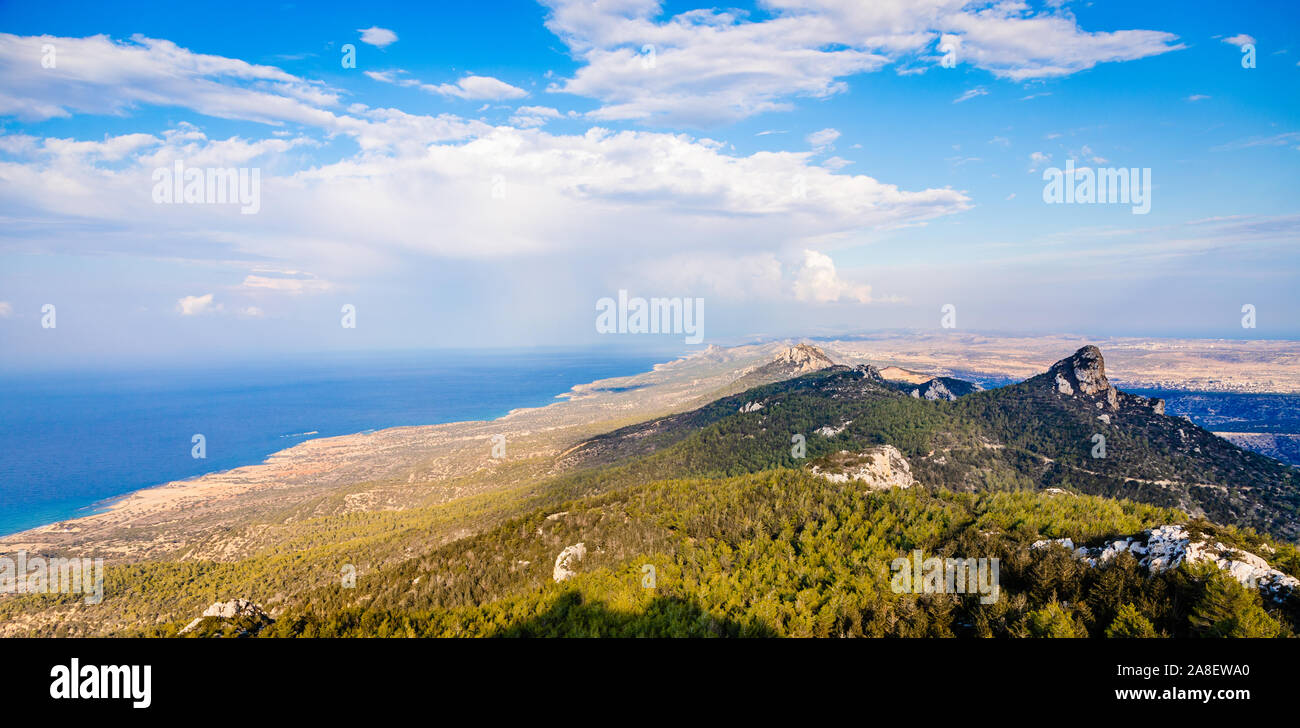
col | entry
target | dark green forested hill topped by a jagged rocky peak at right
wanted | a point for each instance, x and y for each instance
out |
(1035, 435)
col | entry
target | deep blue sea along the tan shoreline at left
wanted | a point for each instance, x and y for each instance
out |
(73, 441)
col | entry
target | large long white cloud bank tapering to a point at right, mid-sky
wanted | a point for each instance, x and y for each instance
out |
(506, 192)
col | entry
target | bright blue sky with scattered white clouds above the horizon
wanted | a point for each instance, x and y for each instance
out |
(482, 175)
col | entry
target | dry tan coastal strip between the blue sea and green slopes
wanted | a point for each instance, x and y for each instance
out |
(326, 463)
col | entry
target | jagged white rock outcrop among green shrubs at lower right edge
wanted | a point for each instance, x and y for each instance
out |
(1168, 547)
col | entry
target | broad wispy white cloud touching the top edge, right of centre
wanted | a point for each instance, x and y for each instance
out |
(710, 66)
